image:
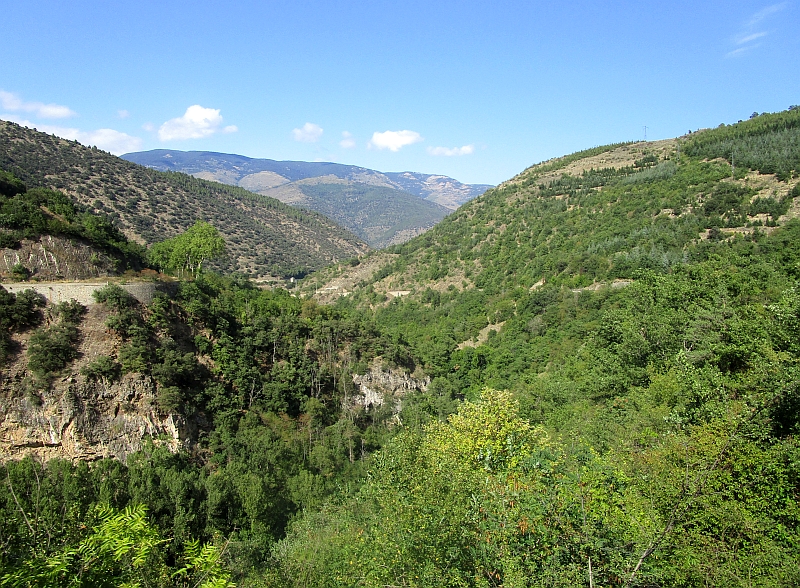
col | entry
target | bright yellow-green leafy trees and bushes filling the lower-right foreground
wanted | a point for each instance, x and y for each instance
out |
(488, 500)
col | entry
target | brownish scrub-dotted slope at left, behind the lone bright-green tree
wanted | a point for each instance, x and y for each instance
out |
(264, 236)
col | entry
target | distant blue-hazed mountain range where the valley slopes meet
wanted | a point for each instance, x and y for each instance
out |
(381, 208)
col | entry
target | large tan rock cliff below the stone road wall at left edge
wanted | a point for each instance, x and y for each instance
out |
(76, 417)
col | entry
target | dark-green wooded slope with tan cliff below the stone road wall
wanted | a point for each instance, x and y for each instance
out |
(262, 378)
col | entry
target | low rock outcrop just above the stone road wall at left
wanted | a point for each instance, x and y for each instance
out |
(50, 258)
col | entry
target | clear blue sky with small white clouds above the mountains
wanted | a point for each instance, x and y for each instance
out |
(474, 90)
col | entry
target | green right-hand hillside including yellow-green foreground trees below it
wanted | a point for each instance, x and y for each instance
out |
(639, 302)
